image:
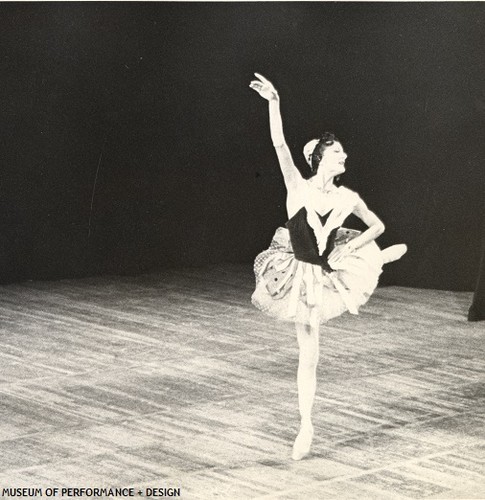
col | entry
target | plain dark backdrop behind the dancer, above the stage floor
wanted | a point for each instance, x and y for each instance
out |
(151, 101)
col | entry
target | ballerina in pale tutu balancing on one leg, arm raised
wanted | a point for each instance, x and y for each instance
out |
(315, 269)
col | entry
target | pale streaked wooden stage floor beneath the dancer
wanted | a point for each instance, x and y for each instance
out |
(174, 380)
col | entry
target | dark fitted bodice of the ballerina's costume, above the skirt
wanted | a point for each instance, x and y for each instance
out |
(304, 242)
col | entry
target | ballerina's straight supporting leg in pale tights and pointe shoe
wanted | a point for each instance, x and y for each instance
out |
(307, 383)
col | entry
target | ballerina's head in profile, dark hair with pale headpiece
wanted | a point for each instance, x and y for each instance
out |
(325, 155)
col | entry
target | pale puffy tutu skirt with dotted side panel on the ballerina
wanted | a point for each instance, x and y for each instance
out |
(296, 291)
